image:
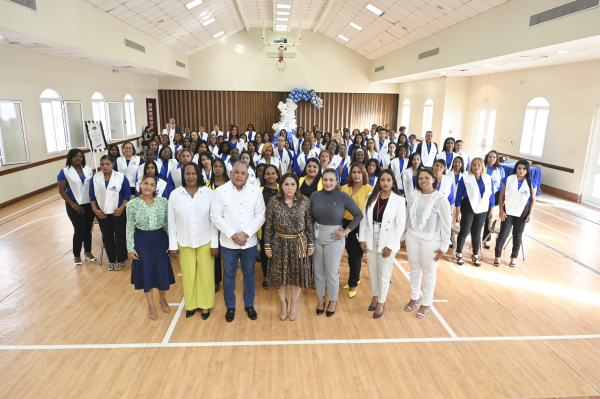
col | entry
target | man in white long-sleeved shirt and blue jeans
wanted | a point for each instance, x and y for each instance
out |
(238, 211)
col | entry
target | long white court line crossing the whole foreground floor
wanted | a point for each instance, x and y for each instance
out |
(301, 342)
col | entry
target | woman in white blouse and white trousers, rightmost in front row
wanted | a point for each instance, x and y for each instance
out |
(427, 238)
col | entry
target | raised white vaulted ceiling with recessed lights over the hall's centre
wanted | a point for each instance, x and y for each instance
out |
(403, 21)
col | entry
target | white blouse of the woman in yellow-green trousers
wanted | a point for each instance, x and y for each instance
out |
(189, 219)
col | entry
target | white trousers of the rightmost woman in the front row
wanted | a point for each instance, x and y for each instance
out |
(421, 259)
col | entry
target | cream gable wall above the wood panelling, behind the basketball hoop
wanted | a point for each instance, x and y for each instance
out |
(239, 63)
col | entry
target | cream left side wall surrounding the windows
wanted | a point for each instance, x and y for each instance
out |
(26, 74)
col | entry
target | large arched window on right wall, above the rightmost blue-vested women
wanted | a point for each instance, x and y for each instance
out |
(535, 125)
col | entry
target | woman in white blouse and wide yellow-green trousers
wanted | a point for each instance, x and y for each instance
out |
(192, 242)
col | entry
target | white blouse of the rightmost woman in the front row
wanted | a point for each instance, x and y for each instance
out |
(429, 217)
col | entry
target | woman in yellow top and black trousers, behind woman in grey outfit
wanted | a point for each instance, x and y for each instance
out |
(358, 188)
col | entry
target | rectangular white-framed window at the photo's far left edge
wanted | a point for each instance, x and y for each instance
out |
(13, 139)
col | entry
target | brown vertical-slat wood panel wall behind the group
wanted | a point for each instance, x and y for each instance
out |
(192, 108)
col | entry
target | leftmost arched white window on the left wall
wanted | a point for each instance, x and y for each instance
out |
(53, 121)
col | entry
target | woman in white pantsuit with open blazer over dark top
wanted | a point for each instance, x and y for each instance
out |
(382, 226)
